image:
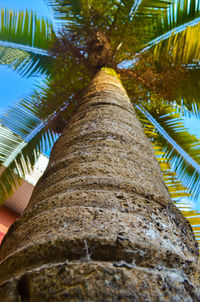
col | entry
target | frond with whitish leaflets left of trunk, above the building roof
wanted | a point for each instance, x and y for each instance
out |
(23, 137)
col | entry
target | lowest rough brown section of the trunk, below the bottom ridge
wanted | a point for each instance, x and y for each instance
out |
(95, 281)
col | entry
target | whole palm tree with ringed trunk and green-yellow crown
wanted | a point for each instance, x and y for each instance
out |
(100, 224)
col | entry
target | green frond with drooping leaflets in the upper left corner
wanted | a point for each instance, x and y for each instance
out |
(24, 41)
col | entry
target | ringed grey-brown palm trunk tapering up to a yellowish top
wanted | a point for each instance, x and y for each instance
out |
(100, 225)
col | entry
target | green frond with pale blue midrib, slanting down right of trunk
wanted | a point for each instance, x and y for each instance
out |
(179, 146)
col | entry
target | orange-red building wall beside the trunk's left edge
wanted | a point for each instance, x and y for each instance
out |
(7, 217)
